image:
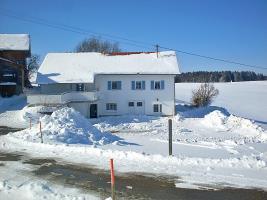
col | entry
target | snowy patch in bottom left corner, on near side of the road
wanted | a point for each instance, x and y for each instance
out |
(17, 182)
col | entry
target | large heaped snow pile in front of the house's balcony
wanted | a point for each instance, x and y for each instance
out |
(66, 126)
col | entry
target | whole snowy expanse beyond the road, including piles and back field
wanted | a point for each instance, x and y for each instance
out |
(213, 147)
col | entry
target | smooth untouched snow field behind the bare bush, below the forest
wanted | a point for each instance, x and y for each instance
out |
(245, 99)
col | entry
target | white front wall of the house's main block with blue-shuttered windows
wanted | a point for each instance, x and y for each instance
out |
(126, 94)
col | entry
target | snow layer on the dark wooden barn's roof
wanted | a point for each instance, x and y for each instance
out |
(19, 42)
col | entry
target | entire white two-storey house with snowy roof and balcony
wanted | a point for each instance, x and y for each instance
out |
(99, 84)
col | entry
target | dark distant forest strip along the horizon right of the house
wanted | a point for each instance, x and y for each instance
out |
(219, 76)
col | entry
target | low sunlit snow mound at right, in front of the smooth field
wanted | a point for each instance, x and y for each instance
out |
(238, 125)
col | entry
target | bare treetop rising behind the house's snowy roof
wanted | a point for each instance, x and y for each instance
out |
(97, 45)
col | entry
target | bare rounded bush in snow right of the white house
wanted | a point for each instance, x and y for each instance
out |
(204, 95)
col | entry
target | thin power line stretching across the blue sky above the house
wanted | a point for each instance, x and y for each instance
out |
(123, 40)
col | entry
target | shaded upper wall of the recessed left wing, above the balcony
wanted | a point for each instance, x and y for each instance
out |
(59, 88)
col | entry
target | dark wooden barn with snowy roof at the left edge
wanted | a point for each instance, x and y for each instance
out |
(14, 49)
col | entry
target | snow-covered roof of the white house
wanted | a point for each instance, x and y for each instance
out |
(82, 67)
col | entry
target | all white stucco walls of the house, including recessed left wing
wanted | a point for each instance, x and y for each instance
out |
(122, 97)
